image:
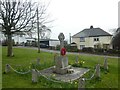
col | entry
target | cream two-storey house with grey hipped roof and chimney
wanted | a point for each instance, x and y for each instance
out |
(92, 37)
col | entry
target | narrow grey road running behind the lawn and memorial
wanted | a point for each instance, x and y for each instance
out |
(54, 51)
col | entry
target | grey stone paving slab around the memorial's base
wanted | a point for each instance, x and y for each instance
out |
(78, 72)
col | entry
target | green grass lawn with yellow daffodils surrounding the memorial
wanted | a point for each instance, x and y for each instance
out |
(25, 57)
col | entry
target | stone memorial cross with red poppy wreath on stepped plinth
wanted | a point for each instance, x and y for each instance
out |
(61, 62)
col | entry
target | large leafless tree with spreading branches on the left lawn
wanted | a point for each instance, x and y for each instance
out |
(16, 16)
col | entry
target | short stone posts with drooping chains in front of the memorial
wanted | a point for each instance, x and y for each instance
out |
(36, 73)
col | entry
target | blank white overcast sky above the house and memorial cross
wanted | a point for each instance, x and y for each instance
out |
(72, 16)
